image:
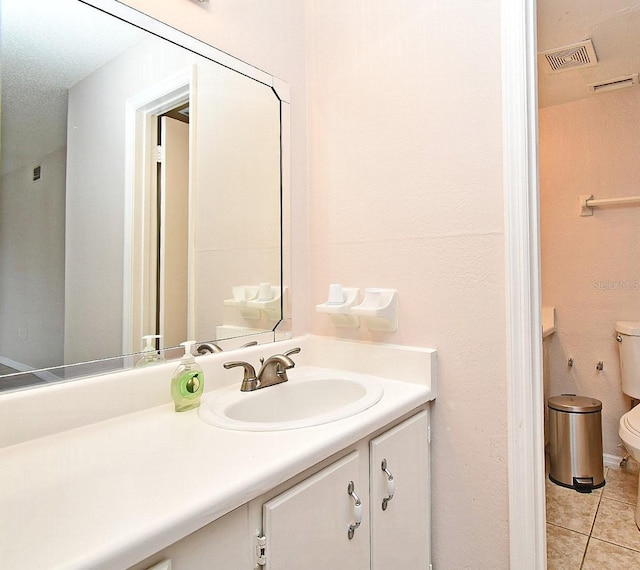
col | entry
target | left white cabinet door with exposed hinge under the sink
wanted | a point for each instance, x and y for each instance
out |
(307, 526)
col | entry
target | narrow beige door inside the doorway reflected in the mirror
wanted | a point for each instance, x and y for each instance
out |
(173, 251)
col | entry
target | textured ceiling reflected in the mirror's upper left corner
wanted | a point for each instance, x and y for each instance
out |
(46, 48)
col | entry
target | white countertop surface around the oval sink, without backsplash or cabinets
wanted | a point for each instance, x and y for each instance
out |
(109, 494)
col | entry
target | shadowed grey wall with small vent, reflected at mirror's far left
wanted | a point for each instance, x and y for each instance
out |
(32, 264)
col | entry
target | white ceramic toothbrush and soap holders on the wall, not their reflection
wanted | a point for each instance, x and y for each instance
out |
(378, 309)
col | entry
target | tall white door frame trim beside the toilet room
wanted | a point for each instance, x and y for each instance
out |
(522, 284)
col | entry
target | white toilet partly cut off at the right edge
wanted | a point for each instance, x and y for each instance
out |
(629, 345)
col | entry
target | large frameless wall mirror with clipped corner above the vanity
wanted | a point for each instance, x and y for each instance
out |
(141, 192)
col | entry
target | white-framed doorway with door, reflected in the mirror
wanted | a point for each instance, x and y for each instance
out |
(158, 259)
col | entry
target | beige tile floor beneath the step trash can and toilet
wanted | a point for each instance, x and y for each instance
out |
(588, 531)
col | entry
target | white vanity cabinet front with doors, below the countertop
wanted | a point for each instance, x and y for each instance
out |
(308, 519)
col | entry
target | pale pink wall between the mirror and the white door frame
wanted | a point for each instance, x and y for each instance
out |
(403, 126)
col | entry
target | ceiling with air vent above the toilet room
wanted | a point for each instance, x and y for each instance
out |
(614, 28)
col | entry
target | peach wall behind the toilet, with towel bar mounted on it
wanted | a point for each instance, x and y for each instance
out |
(590, 265)
